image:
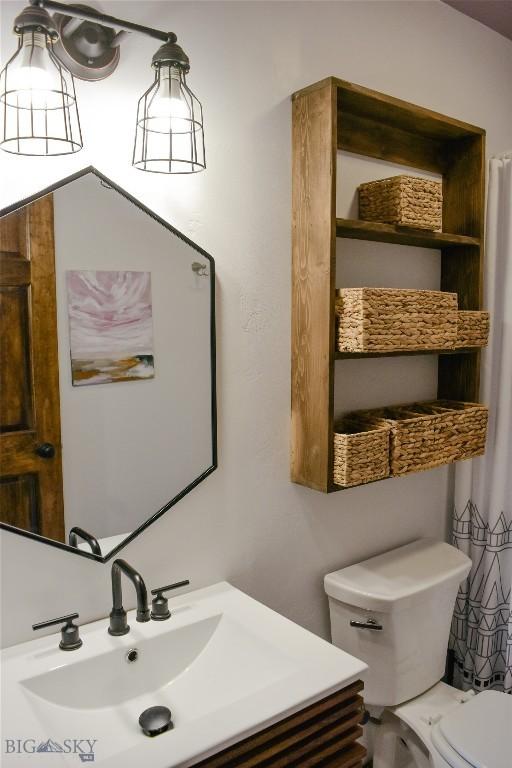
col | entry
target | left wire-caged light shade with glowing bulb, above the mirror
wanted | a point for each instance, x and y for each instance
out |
(38, 110)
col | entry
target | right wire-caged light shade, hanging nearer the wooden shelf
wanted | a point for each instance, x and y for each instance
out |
(169, 134)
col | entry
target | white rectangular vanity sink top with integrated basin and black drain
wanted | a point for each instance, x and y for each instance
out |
(224, 664)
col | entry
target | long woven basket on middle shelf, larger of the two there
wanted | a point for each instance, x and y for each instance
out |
(392, 320)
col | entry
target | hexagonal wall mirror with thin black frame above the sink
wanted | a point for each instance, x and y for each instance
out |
(107, 366)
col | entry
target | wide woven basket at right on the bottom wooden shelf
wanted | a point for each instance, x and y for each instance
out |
(427, 435)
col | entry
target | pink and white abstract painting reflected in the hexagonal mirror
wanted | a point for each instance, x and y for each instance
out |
(111, 326)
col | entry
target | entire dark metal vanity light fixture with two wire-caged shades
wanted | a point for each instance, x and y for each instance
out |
(39, 114)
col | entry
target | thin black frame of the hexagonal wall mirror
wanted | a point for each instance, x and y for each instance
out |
(104, 180)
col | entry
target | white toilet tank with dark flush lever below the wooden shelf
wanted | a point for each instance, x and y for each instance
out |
(410, 592)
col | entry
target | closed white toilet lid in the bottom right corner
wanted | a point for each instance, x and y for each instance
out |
(477, 734)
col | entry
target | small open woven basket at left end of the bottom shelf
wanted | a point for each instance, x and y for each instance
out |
(361, 452)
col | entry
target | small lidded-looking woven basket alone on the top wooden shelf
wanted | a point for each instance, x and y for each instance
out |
(403, 200)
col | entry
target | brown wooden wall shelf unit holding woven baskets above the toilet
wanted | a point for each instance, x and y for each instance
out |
(336, 115)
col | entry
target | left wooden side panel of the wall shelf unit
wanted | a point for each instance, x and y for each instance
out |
(313, 264)
